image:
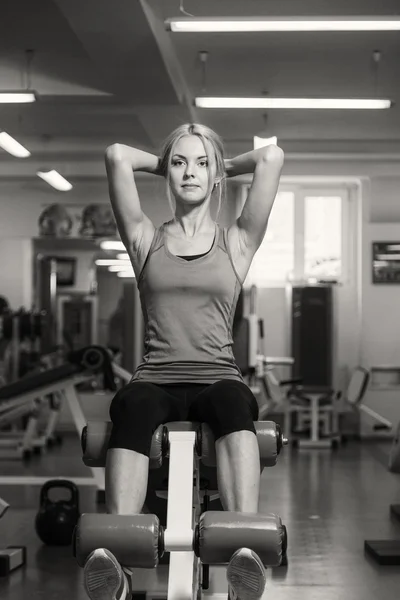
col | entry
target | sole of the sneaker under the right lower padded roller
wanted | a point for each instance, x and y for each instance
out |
(246, 575)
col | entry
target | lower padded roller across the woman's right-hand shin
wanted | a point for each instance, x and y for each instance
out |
(220, 534)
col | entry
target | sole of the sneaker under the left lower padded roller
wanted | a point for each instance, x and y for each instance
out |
(104, 578)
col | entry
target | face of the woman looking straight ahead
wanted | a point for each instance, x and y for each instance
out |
(190, 170)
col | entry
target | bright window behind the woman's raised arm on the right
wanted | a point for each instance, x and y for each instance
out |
(305, 239)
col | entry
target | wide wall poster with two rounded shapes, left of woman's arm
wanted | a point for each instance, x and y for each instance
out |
(76, 221)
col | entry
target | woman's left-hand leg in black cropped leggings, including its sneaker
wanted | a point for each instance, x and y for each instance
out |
(136, 411)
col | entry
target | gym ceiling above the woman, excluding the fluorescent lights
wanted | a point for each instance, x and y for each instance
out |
(108, 71)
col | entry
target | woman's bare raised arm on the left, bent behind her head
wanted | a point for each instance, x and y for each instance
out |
(121, 163)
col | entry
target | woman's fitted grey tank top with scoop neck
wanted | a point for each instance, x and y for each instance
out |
(188, 308)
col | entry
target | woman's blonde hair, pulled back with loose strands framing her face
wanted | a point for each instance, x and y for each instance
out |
(206, 135)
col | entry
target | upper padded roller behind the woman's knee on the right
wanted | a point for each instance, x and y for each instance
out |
(269, 439)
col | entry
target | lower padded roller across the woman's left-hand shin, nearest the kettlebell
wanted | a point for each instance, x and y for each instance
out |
(135, 540)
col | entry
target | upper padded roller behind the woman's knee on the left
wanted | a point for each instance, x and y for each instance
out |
(94, 442)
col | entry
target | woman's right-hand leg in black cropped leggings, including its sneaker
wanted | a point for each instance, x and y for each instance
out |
(230, 409)
